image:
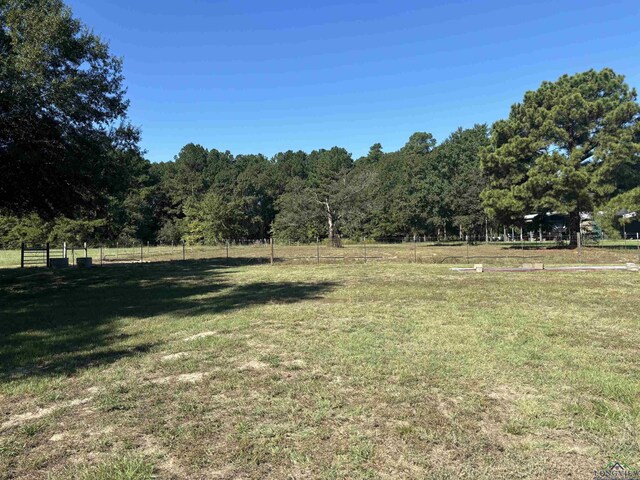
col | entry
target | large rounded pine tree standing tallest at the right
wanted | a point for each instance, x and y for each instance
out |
(571, 144)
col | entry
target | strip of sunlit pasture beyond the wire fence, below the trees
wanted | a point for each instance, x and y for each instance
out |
(606, 252)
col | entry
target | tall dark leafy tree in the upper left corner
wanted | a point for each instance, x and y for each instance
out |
(64, 137)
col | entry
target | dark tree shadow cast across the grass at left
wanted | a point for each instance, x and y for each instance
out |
(54, 322)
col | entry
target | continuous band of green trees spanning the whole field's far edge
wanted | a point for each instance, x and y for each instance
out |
(72, 169)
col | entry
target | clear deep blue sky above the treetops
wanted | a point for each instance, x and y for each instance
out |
(268, 76)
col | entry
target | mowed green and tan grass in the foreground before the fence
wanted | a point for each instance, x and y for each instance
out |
(378, 370)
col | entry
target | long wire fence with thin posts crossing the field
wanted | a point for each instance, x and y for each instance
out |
(499, 251)
